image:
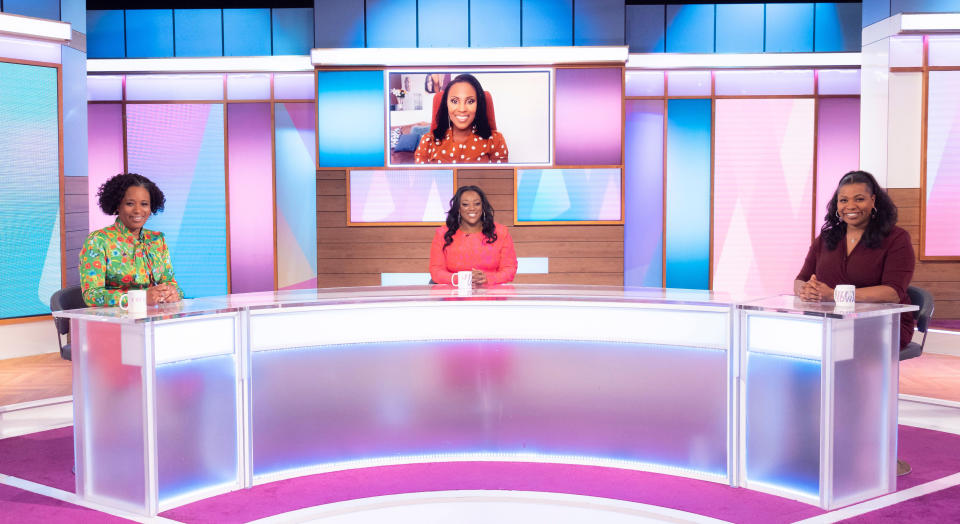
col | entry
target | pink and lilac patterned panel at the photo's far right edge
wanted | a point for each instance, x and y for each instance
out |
(943, 165)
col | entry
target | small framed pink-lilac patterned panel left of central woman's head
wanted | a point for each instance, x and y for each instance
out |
(400, 196)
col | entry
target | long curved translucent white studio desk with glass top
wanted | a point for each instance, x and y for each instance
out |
(213, 395)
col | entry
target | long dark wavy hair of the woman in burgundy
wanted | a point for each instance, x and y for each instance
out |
(879, 225)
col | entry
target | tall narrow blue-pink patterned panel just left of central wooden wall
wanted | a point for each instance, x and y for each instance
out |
(296, 195)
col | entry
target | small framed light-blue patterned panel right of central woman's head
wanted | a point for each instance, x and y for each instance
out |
(565, 195)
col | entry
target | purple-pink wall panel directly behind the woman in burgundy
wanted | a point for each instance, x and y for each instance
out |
(838, 148)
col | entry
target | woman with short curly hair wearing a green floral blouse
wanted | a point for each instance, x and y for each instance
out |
(126, 256)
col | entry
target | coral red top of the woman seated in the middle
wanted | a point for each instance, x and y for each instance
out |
(471, 251)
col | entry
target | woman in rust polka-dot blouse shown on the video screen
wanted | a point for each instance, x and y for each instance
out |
(463, 133)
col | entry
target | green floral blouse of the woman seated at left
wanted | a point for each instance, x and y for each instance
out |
(113, 260)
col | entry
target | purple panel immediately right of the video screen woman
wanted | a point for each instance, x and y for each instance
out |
(589, 116)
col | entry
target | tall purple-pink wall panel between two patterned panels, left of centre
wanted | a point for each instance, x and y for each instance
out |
(250, 168)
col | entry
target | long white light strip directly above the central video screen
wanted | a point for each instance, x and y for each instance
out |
(474, 56)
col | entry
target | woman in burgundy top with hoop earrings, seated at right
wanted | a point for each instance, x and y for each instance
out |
(860, 244)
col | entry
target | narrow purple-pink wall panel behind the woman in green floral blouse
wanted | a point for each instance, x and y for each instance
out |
(104, 154)
